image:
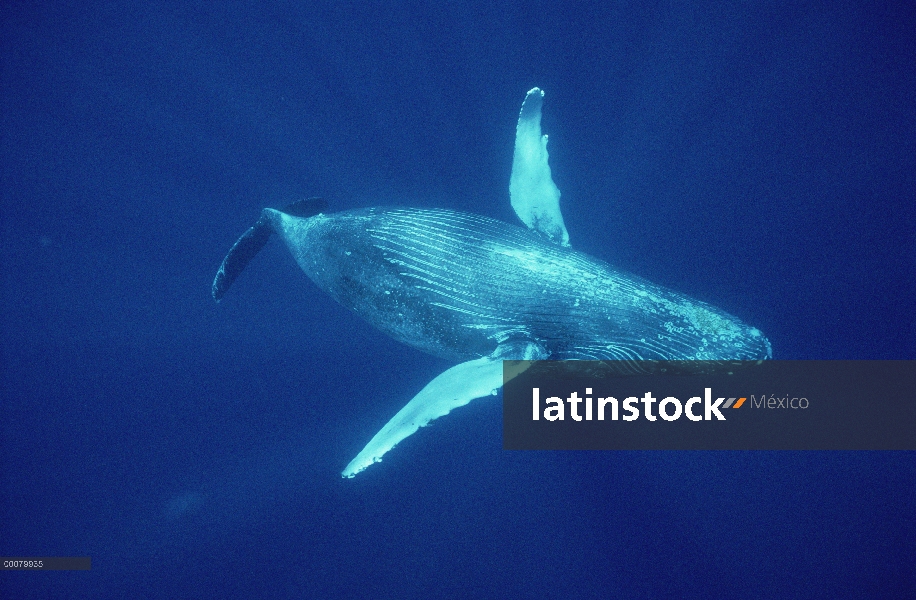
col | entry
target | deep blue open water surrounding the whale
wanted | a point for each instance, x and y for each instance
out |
(760, 156)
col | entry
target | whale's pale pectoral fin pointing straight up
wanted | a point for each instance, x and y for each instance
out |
(534, 195)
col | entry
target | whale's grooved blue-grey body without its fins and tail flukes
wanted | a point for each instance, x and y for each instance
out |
(458, 285)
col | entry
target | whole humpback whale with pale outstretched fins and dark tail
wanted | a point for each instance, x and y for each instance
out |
(477, 291)
